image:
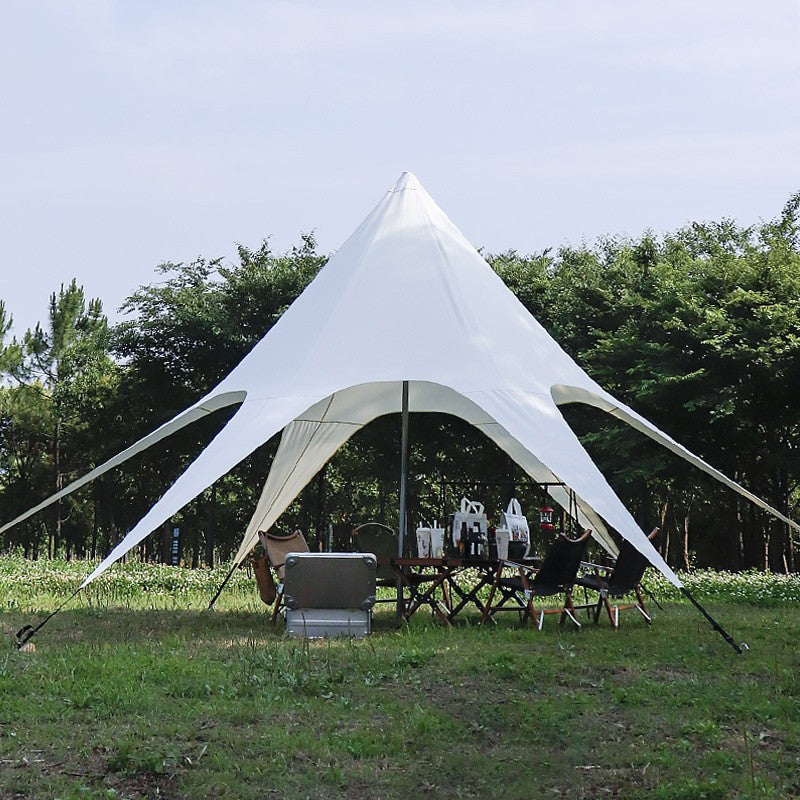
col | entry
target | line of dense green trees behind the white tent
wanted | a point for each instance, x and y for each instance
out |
(698, 330)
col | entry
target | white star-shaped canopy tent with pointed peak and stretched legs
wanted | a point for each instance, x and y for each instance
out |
(406, 298)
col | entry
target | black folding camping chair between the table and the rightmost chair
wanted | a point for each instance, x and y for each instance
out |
(556, 574)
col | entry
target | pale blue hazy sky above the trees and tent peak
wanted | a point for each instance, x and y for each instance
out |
(139, 132)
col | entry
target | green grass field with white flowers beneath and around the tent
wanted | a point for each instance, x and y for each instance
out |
(136, 693)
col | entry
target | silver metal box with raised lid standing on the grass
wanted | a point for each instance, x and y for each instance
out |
(329, 594)
